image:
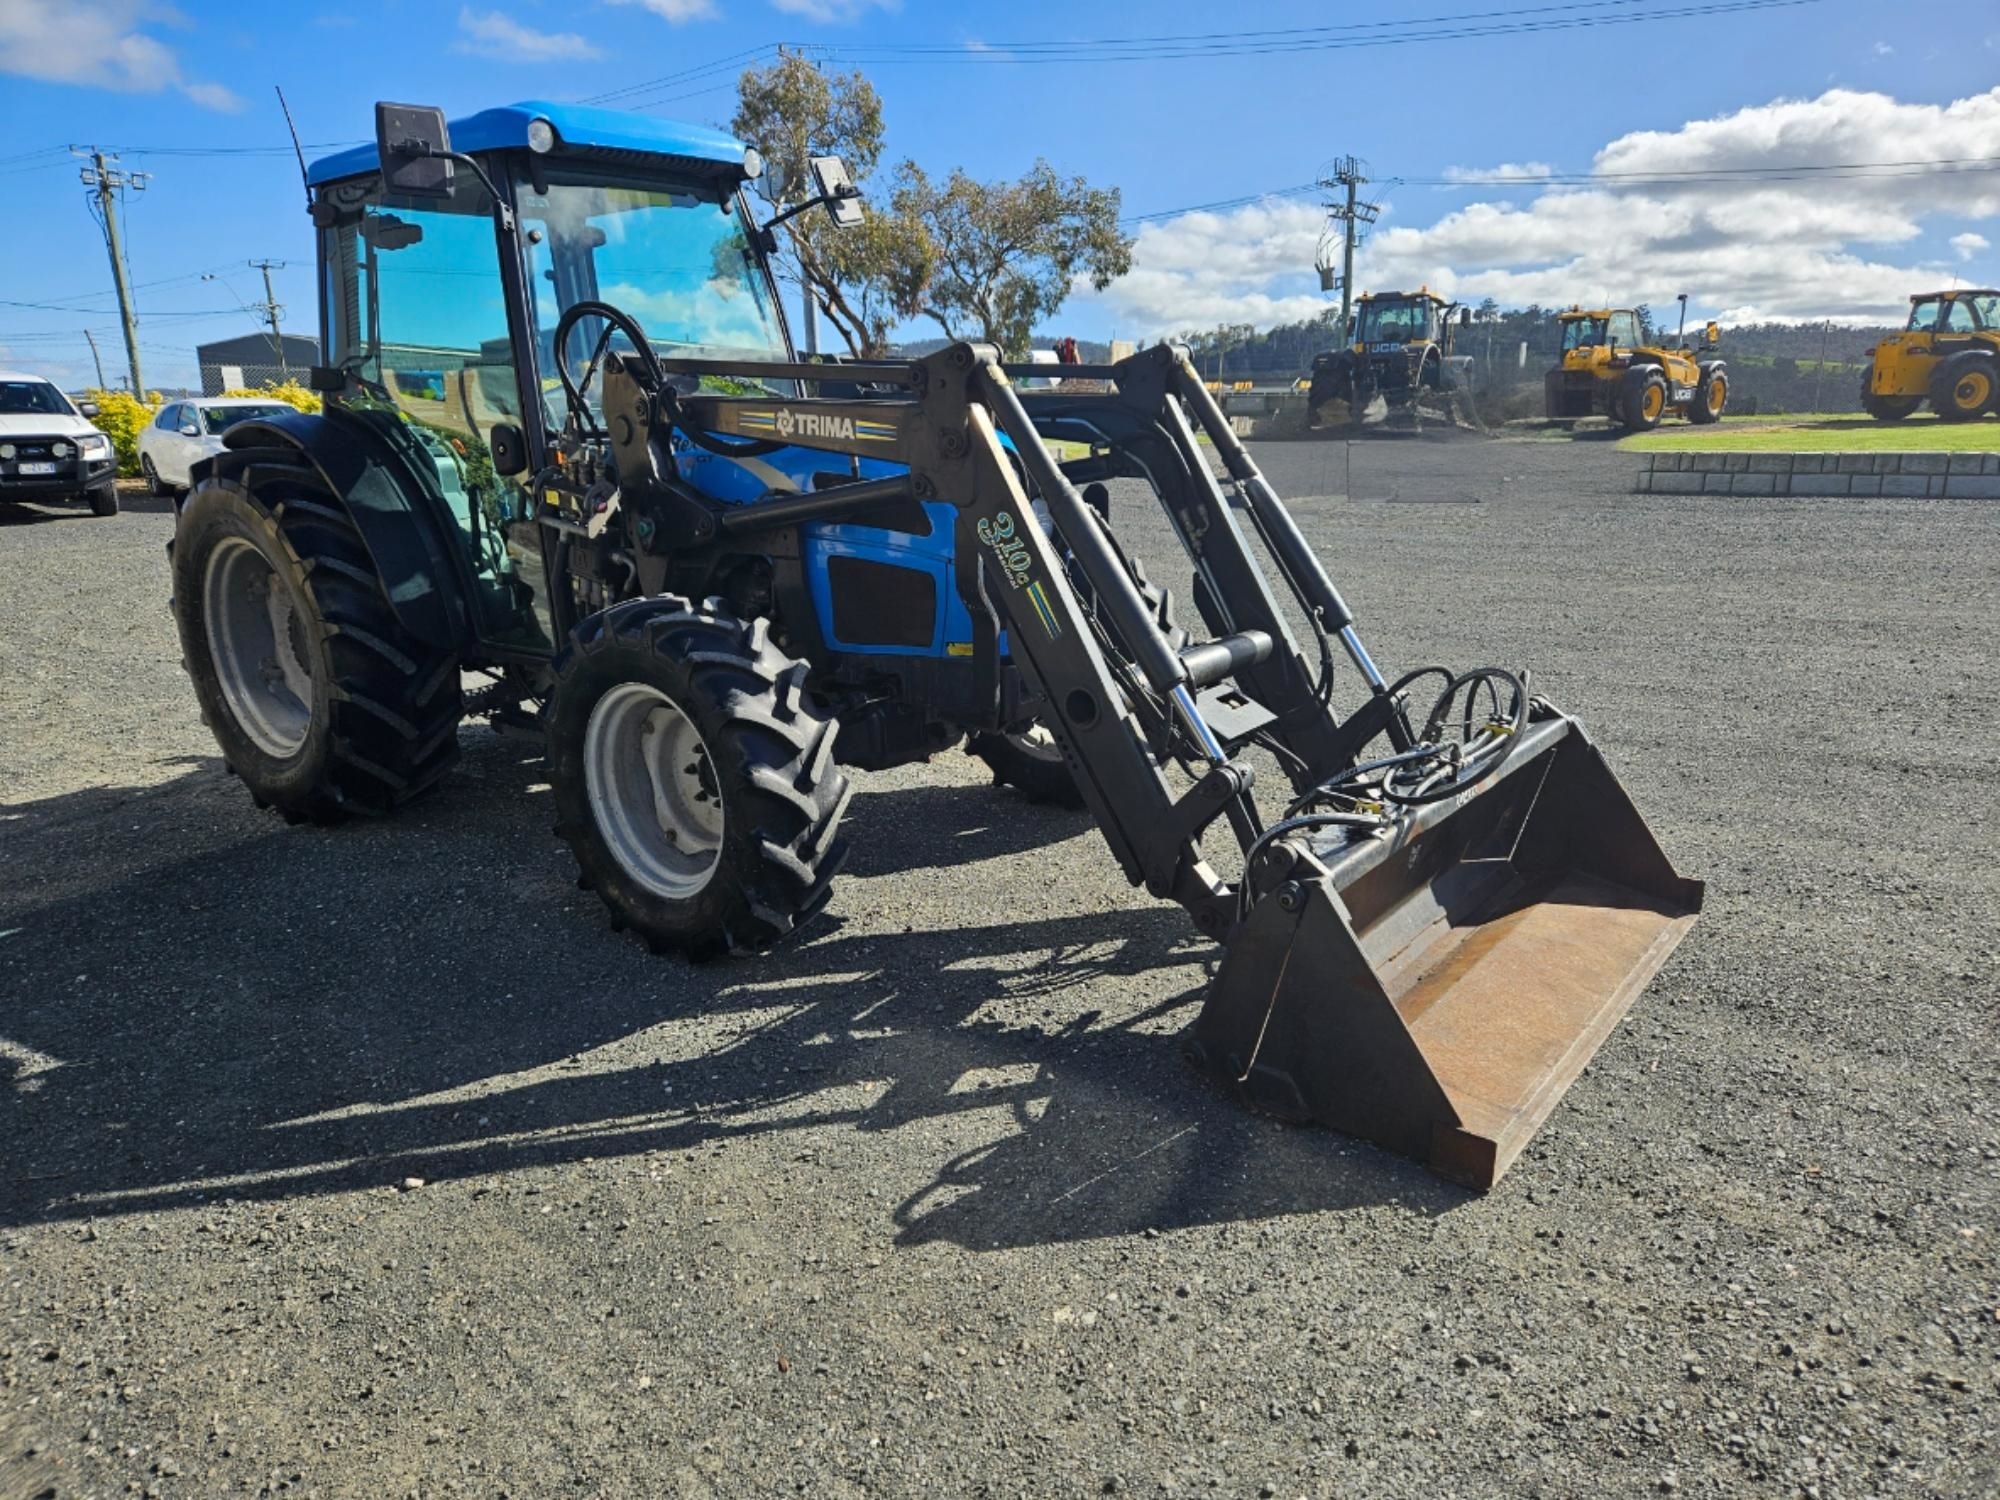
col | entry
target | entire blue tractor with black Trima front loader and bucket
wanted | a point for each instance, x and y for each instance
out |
(715, 575)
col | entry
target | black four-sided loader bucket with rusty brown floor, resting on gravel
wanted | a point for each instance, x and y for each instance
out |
(1439, 991)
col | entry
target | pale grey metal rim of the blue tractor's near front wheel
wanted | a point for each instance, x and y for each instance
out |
(653, 791)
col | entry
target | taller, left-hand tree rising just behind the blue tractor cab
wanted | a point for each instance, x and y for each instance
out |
(793, 113)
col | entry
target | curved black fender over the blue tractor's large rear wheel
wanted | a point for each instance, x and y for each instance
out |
(399, 515)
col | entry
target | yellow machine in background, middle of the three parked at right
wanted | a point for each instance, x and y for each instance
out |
(1611, 369)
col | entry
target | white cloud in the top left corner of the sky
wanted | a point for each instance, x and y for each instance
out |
(99, 45)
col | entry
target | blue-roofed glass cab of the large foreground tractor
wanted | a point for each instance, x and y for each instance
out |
(445, 279)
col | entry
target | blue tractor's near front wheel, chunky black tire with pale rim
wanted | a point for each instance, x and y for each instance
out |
(695, 779)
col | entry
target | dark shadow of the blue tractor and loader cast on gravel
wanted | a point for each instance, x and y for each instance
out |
(199, 1003)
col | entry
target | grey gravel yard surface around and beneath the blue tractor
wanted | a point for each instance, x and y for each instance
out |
(369, 1163)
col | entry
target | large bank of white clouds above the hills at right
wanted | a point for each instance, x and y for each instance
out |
(1809, 247)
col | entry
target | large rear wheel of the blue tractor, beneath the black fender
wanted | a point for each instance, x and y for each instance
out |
(321, 701)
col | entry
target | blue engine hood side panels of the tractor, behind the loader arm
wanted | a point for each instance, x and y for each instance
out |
(743, 483)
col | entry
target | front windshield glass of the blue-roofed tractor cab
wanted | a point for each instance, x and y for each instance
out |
(679, 263)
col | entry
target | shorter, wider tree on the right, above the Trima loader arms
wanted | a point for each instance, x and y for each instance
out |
(1003, 255)
